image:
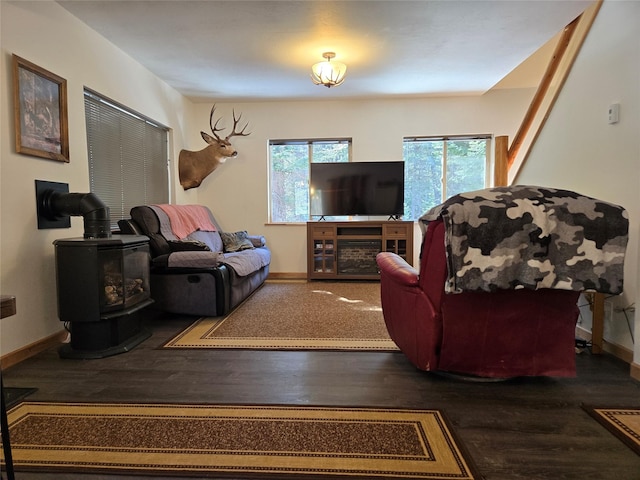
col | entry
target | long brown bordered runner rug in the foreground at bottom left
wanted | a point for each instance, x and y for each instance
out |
(272, 442)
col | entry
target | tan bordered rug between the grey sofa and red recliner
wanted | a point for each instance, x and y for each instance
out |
(297, 316)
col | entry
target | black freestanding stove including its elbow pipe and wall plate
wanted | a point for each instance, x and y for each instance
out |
(102, 280)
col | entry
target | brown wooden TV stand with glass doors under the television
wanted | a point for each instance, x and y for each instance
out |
(347, 250)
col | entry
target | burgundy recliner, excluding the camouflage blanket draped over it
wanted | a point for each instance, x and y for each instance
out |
(500, 334)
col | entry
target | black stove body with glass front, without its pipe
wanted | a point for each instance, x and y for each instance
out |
(102, 286)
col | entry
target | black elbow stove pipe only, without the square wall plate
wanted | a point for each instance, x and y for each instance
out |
(96, 215)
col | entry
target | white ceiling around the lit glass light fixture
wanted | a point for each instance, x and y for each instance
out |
(263, 50)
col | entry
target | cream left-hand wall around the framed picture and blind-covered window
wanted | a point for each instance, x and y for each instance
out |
(45, 34)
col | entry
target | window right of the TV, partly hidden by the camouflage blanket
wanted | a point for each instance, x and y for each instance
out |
(438, 168)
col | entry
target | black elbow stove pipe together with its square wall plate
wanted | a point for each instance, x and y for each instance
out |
(54, 204)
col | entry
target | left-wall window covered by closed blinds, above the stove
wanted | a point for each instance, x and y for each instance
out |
(128, 157)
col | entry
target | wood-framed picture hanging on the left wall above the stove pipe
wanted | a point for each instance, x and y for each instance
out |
(40, 109)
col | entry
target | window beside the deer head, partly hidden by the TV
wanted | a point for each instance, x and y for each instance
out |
(289, 173)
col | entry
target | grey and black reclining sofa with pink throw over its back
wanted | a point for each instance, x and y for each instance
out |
(196, 267)
